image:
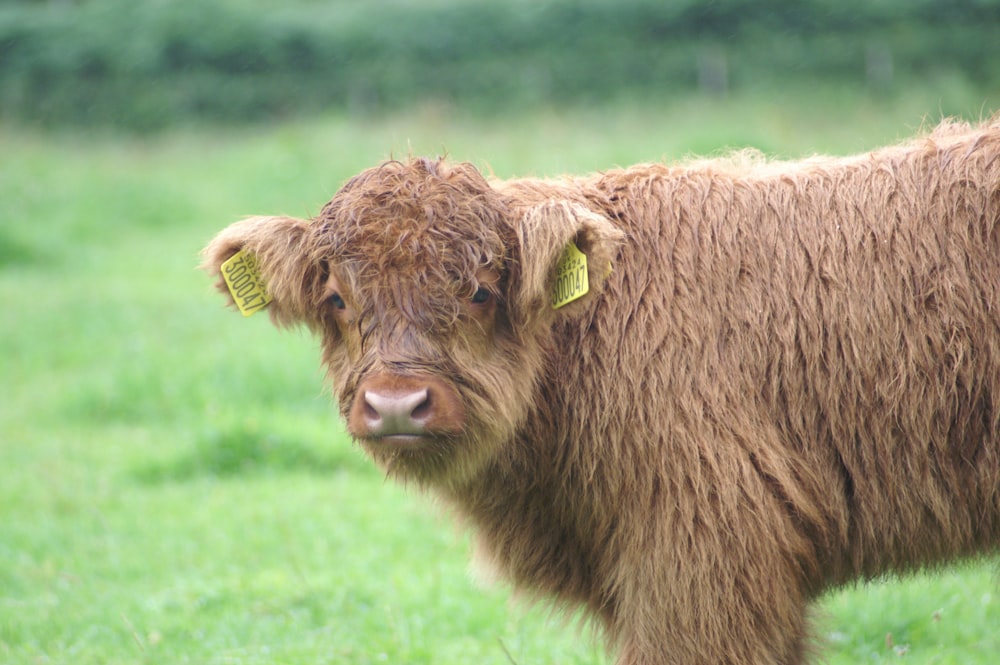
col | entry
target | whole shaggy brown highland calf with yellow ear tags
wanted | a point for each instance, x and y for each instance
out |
(689, 399)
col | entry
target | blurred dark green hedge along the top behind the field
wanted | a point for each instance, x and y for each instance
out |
(145, 64)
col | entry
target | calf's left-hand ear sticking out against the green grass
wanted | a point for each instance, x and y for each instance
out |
(276, 245)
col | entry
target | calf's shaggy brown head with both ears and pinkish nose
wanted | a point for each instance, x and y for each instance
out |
(431, 292)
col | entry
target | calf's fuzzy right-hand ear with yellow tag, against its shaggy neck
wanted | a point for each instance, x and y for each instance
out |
(552, 238)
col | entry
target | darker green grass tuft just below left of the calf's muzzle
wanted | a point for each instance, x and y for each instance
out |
(244, 450)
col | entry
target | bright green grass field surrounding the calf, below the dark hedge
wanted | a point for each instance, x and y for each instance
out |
(174, 484)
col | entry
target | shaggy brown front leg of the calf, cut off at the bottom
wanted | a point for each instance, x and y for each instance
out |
(720, 579)
